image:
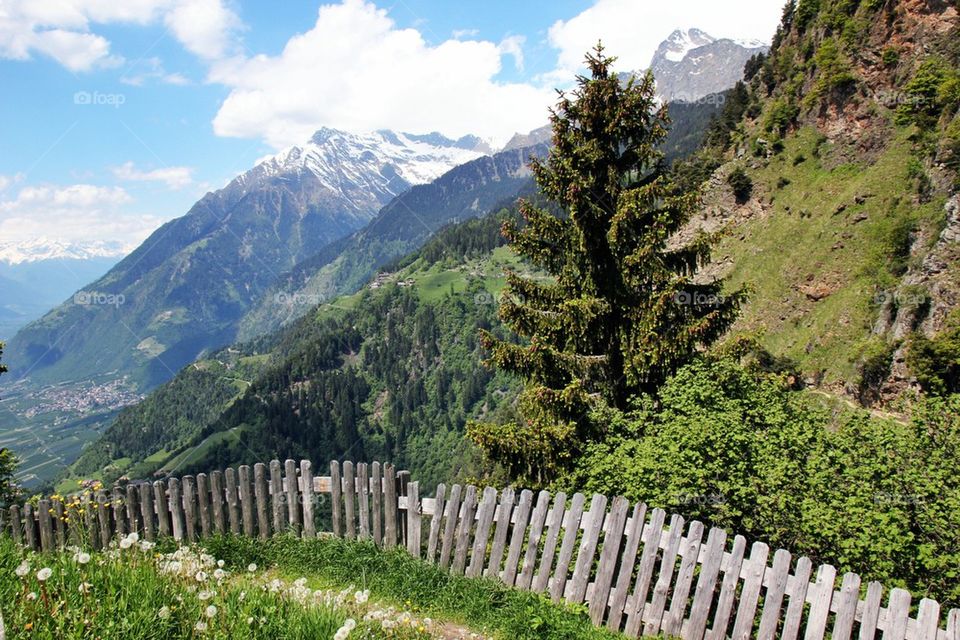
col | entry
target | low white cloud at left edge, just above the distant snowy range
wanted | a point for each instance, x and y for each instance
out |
(73, 213)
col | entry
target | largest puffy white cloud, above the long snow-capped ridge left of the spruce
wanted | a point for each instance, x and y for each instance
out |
(356, 70)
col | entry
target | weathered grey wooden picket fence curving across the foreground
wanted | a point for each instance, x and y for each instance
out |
(637, 570)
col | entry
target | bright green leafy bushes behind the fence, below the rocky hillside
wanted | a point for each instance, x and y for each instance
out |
(742, 451)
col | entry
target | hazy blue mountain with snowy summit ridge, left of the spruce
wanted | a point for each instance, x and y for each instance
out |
(186, 287)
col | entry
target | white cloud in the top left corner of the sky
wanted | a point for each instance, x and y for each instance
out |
(63, 31)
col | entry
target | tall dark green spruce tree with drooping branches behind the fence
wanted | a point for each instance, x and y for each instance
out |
(622, 308)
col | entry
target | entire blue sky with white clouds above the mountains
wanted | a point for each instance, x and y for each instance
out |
(118, 114)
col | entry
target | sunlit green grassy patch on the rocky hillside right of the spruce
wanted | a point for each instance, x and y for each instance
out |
(815, 237)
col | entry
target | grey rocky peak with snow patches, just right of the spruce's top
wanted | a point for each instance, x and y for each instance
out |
(691, 64)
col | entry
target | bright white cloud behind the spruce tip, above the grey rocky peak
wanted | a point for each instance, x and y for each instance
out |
(632, 29)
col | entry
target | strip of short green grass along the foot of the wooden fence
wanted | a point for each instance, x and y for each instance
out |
(397, 577)
